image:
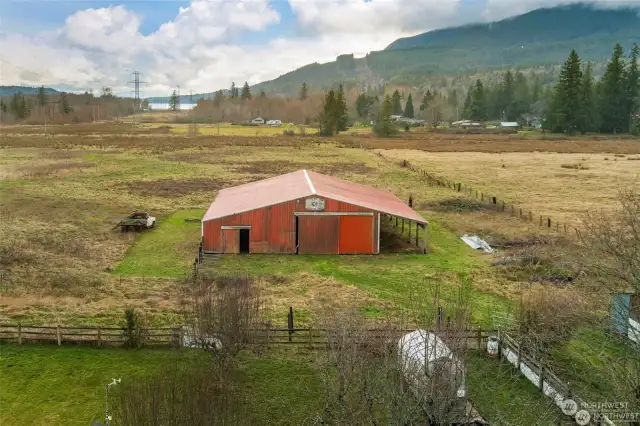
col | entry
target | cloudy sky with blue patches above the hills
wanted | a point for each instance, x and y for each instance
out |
(204, 45)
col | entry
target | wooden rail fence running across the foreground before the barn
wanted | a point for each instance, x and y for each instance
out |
(178, 336)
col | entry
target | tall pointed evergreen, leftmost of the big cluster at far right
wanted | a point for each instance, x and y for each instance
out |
(563, 112)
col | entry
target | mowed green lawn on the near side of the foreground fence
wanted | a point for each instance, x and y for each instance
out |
(47, 385)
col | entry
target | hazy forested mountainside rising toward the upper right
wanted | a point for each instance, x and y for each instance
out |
(539, 38)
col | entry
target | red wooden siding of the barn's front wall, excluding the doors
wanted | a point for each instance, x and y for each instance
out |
(272, 227)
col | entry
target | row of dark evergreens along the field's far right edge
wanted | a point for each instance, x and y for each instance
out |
(575, 103)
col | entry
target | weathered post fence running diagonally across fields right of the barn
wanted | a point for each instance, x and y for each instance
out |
(494, 202)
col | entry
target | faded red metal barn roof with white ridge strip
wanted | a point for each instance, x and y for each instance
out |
(301, 184)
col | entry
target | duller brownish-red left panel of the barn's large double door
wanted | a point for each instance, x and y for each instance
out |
(318, 234)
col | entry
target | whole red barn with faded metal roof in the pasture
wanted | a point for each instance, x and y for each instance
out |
(301, 212)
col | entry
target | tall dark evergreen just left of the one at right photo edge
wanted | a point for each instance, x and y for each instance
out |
(614, 95)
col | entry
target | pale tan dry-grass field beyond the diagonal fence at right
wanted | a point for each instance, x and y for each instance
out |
(563, 186)
